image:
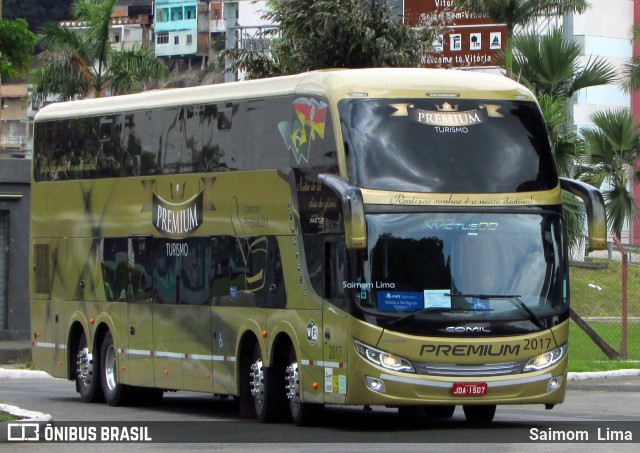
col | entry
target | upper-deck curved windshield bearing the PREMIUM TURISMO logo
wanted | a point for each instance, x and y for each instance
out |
(446, 146)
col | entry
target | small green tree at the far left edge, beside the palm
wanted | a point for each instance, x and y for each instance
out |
(16, 47)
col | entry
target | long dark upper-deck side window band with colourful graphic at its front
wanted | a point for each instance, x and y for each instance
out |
(255, 134)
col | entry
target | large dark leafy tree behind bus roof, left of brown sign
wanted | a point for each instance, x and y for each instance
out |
(319, 34)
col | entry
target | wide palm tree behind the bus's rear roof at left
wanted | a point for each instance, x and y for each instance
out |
(83, 63)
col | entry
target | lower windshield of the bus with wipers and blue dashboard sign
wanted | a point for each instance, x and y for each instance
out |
(481, 267)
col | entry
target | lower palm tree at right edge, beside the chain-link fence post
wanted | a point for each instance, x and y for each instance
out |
(612, 147)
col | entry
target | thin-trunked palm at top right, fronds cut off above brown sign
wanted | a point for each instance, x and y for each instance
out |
(519, 13)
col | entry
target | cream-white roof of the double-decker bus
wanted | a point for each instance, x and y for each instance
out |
(334, 84)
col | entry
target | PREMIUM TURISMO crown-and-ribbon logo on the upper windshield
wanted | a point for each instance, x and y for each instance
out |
(447, 118)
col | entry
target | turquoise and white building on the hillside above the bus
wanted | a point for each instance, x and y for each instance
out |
(176, 28)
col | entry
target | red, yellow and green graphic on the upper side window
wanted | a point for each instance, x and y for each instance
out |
(311, 116)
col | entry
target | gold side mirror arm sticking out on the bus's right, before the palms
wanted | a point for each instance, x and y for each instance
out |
(594, 205)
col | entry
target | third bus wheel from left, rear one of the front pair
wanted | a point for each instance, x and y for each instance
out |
(262, 388)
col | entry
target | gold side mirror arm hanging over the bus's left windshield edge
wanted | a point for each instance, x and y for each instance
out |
(355, 227)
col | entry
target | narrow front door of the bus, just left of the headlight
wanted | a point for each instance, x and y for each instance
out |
(334, 330)
